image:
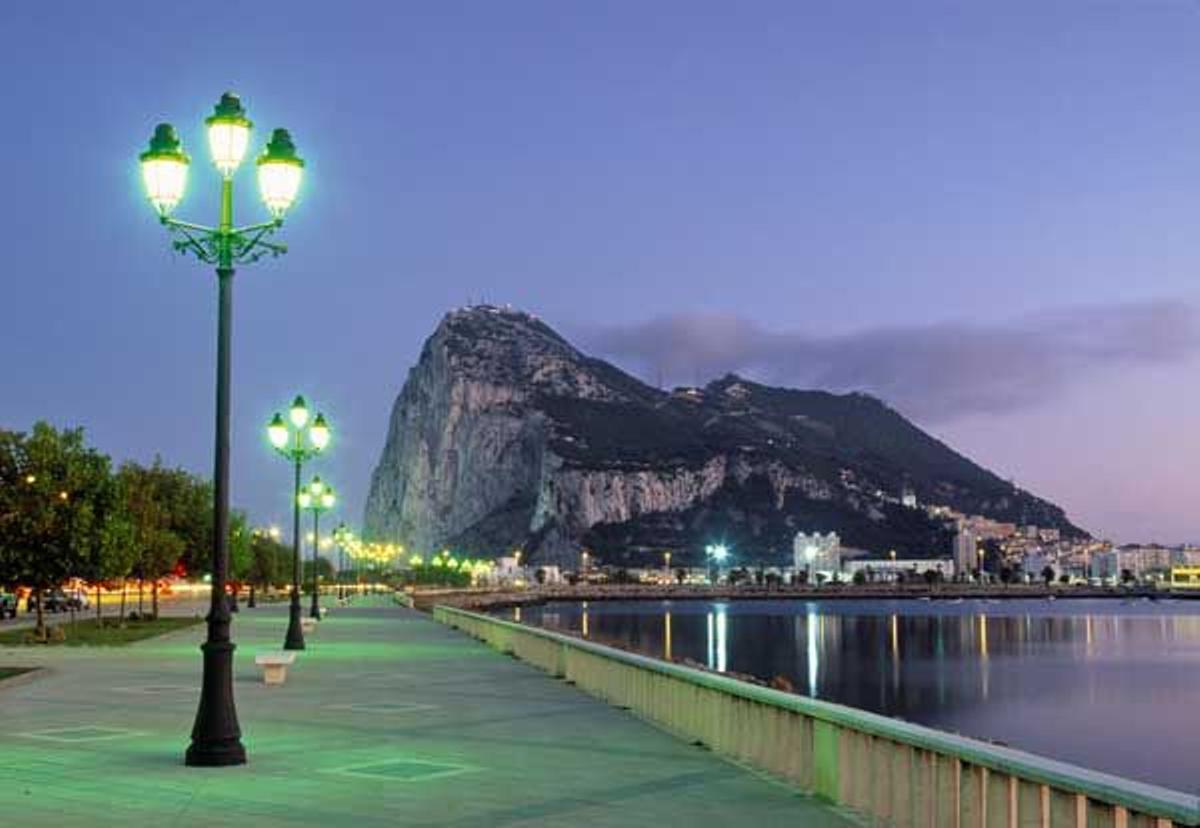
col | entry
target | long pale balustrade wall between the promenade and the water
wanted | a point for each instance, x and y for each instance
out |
(897, 773)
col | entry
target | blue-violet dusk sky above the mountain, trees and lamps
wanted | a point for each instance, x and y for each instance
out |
(986, 214)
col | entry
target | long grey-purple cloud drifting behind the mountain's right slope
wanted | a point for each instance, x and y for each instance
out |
(933, 373)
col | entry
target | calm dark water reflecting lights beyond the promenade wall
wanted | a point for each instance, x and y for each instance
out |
(1102, 683)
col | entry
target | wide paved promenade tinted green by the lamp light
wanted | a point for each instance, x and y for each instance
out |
(388, 719)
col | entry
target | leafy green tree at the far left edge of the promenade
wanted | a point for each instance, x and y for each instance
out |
(56, 496)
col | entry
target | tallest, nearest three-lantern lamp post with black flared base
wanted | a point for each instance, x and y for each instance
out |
(217, 736)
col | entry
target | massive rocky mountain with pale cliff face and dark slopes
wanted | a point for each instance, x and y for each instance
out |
(507, 437)
